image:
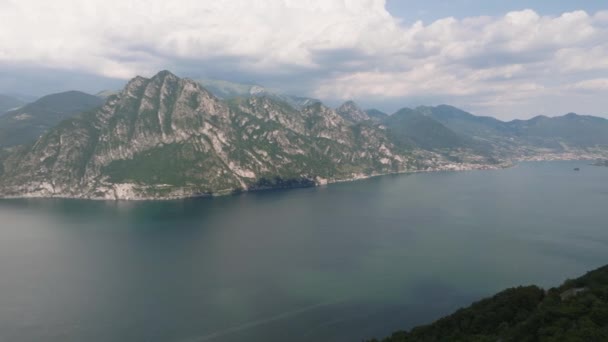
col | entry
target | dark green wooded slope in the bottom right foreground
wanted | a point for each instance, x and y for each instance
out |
(574, 311)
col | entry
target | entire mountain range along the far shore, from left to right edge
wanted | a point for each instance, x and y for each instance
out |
(167, 137)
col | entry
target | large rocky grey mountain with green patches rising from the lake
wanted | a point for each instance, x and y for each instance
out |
(167, 137)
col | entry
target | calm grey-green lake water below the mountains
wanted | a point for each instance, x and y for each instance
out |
(341, 263)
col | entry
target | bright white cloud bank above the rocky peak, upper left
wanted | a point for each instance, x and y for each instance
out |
(96, 35)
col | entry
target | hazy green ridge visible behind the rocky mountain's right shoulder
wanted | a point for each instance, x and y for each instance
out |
(229, 90)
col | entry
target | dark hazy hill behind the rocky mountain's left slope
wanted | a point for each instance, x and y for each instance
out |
(25, 124)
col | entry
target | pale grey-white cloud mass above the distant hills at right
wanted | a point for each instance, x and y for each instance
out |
(492, 64)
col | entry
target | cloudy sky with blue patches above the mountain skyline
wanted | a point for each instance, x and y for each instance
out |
(513, 59)
